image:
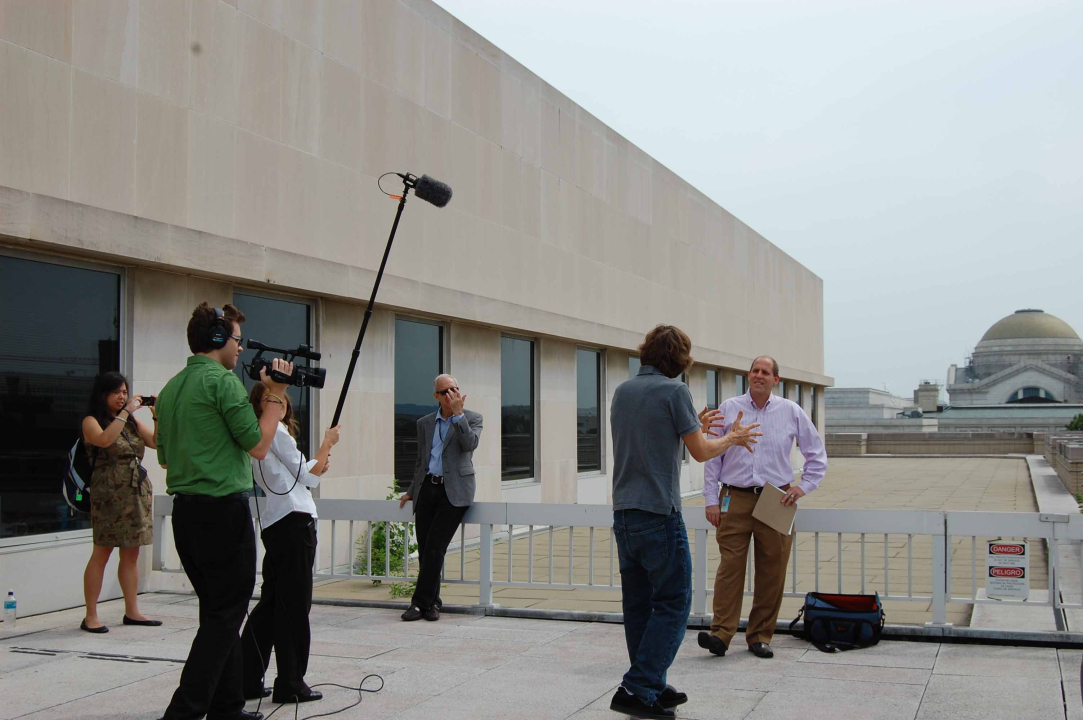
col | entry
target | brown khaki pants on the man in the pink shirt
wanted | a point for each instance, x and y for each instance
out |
(772, 558)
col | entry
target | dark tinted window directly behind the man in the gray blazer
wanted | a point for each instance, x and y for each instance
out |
(420, 359)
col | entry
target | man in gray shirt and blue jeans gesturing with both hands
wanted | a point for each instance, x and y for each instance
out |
(651, 415)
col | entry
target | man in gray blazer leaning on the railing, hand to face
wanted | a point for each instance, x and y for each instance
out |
(442, 489)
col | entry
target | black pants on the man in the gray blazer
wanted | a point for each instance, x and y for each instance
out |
(438, 521)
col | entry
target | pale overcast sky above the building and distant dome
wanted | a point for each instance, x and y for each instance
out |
(924, 159)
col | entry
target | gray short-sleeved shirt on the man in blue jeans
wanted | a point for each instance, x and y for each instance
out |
(651, 414)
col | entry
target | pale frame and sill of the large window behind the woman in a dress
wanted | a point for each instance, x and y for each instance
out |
(126, 293)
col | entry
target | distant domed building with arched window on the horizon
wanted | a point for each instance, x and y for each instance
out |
(1028, 358)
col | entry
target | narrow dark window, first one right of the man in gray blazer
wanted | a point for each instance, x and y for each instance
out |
(517, 409)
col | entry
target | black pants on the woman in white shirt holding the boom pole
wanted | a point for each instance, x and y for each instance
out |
(281, 618)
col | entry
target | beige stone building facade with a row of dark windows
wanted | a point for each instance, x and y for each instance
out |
(158, 154)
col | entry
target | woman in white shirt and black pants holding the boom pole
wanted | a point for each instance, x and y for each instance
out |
(289, 531)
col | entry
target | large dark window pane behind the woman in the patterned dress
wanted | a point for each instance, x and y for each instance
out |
(59, 329)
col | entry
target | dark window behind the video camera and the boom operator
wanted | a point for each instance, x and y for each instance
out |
(280, 324)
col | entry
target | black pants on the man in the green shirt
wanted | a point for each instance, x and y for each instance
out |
(217, 546)
